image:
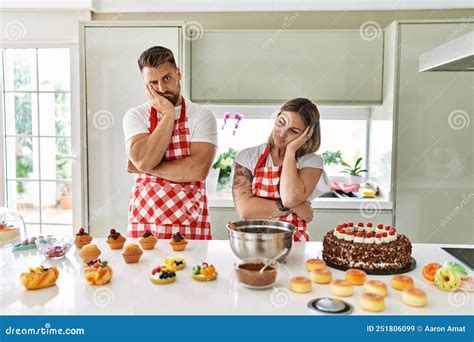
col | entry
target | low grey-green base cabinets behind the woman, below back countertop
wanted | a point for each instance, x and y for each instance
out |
(324, 220)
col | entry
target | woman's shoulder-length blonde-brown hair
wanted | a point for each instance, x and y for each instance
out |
(310, 115)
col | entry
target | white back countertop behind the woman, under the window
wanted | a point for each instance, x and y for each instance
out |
(223, 199)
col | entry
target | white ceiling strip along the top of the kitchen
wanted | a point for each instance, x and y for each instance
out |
(130, 6)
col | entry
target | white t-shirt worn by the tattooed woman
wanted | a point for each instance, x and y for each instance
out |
(248, 158)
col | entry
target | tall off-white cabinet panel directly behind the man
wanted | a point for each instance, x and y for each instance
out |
(112, 84)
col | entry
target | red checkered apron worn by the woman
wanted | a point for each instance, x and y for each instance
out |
(266, 183)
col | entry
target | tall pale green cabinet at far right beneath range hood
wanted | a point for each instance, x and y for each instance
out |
(433, 179)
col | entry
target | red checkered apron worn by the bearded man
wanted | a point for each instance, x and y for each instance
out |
(166, 207)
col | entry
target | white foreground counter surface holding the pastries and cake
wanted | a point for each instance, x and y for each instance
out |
(131, 291)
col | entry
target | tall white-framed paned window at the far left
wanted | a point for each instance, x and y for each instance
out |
(37, 137)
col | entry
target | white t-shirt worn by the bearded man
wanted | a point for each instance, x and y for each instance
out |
(201, 122)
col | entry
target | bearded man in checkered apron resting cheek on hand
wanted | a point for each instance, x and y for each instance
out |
(171, 144)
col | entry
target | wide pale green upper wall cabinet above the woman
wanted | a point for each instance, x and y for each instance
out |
(327, 66)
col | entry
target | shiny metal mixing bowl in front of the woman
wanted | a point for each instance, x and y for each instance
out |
(260, 238)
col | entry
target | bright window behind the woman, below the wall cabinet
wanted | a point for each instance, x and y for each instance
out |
(347, 136)
